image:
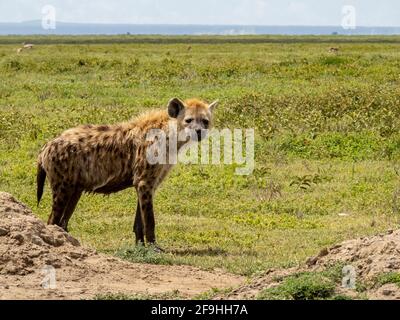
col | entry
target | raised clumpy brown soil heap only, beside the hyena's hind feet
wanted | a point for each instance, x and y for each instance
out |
(26, 244)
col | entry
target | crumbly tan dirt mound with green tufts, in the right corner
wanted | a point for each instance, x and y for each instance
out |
(374, 261)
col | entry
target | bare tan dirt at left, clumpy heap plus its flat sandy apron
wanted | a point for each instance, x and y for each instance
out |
(41, 262)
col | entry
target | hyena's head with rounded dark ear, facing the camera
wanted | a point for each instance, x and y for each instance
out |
(193, 116)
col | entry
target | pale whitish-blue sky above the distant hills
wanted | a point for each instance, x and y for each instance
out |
(211, 12)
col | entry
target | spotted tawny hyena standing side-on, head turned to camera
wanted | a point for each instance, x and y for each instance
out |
(109, 158)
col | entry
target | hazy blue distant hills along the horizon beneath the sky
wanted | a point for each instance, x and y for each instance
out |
(64, 28)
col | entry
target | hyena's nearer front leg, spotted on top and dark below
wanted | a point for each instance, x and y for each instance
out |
(145, 196)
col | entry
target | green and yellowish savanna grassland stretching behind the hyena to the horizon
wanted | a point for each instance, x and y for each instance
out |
(327, 140)
